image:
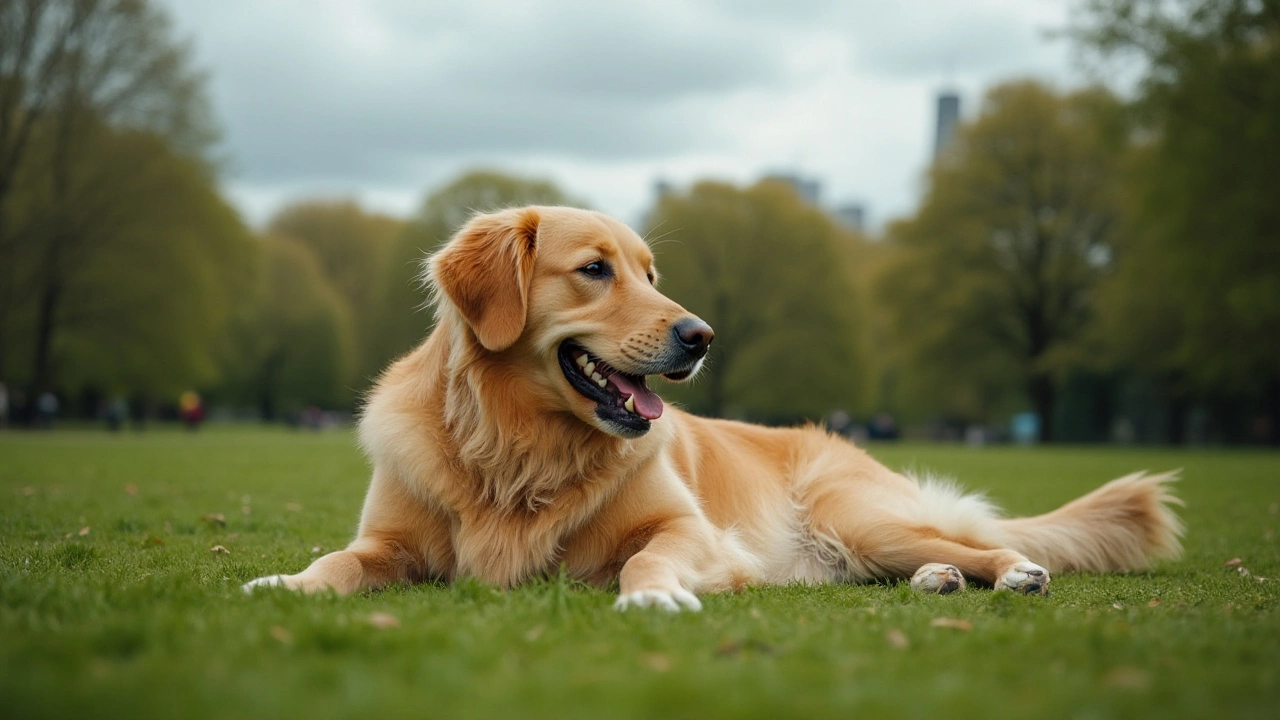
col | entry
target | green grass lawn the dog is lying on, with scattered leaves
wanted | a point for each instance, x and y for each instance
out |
(112, 604)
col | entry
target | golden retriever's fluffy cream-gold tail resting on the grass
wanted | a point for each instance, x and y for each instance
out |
(1122, 527)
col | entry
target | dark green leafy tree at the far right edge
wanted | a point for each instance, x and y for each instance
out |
(1195, 302)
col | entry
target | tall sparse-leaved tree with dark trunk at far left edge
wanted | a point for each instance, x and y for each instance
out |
(74, 72)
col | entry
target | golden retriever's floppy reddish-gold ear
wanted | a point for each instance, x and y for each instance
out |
(486, 271)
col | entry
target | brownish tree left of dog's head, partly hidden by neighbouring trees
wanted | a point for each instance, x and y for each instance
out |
(351, 248)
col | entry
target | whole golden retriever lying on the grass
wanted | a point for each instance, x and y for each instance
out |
(522, 438)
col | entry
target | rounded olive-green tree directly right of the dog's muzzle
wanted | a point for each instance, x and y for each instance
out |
(772, 276)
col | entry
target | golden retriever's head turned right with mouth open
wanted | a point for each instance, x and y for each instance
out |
(572, 295)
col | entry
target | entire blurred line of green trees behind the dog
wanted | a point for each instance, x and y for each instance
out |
(1112, 265)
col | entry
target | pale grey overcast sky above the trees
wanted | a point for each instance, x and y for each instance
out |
(383, 101)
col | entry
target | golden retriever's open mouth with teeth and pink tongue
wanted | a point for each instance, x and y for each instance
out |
(620, 399)
